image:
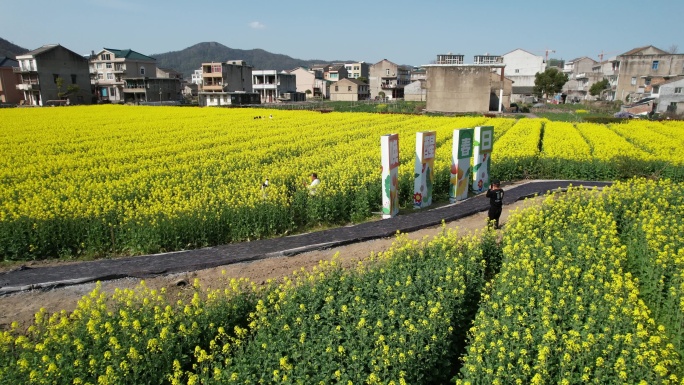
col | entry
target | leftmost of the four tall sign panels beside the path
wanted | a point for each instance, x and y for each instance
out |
(389, 147)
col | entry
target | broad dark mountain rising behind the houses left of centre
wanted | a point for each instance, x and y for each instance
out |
(190, 59)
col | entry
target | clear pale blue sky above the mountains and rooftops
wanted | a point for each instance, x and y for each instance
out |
(405, 32)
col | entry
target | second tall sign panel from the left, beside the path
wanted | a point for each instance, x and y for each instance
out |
(424, 171)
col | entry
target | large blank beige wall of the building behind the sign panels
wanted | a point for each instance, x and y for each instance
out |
(458, 88)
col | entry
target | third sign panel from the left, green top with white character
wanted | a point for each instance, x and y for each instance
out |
(460, 164)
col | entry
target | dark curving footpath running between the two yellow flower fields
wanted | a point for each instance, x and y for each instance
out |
(146, 266)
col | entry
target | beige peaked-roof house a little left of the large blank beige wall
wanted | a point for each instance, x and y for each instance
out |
(388, 78)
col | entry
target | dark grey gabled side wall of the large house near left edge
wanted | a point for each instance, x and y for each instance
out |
(63, 63)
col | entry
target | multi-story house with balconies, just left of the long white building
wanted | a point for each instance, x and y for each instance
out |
(220, 81)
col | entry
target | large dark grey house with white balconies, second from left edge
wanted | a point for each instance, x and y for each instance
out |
(54, 74)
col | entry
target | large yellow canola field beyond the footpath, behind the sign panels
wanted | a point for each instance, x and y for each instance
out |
(120, 180)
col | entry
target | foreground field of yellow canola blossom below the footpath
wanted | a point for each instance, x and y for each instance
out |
(587, 287)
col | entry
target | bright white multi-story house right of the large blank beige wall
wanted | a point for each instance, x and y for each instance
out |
(521, 68)
